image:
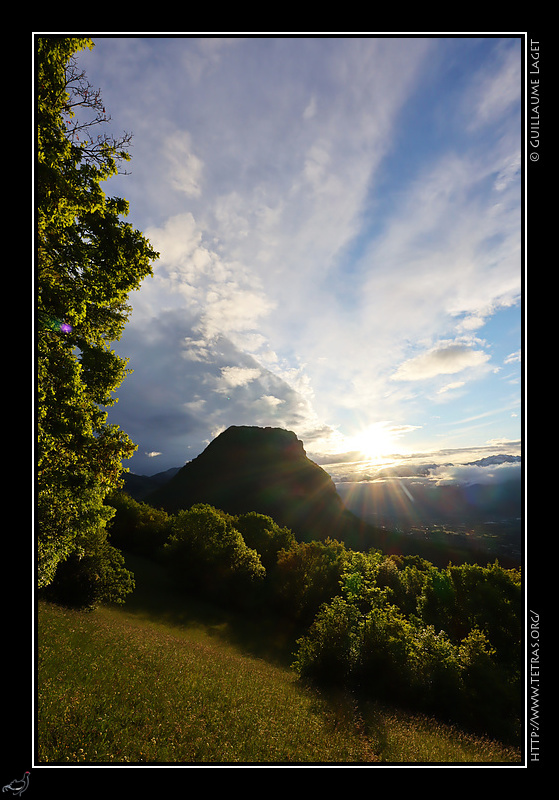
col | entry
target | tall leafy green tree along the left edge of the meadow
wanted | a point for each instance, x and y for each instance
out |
(88, 261)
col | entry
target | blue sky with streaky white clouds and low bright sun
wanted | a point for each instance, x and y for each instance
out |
(339, 222)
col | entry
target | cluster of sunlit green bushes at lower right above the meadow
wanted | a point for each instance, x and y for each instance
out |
(446, 641)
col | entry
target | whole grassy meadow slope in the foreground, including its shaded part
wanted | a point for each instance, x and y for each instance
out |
(171, 682)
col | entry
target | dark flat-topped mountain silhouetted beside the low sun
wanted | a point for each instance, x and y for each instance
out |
(265, 470)
